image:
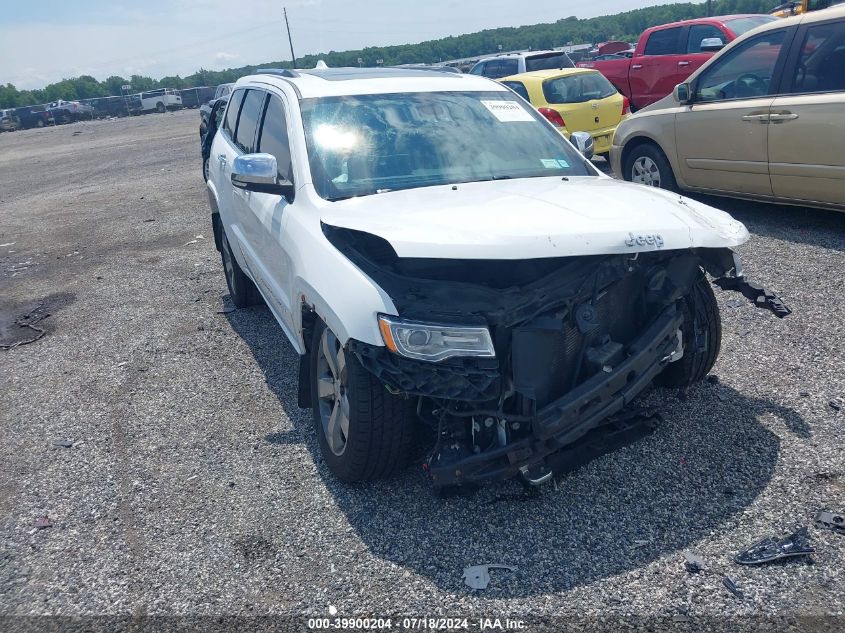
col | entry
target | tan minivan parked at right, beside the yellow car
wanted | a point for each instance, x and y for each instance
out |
(763, 119)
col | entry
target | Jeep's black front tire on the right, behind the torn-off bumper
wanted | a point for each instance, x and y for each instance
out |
(702, 336)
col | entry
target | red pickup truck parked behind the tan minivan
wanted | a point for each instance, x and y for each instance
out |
(666, 55)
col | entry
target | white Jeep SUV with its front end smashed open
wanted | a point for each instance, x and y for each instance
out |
(438, 254)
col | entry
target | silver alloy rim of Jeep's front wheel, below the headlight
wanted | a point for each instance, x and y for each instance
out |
(332, 392)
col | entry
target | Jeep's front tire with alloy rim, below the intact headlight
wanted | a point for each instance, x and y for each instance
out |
(363, 430)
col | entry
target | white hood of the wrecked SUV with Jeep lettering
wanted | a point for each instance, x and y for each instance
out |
(536, 217)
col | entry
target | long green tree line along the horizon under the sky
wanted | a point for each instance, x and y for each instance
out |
(625, 26)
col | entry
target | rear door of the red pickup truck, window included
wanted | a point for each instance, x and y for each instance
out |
(654, 73)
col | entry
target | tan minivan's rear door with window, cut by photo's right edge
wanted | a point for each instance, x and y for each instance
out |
(806, 130)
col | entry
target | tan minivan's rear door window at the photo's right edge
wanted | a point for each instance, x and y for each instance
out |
(821, 62)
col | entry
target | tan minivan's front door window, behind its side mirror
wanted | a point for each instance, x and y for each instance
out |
(745, 72)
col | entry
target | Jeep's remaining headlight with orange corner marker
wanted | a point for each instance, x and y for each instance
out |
(432, 342)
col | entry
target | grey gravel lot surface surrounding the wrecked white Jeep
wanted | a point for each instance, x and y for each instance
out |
(192, 484)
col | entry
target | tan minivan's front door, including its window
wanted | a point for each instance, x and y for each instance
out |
(722, 138)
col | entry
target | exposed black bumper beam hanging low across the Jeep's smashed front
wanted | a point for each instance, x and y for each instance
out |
(573, 415)
